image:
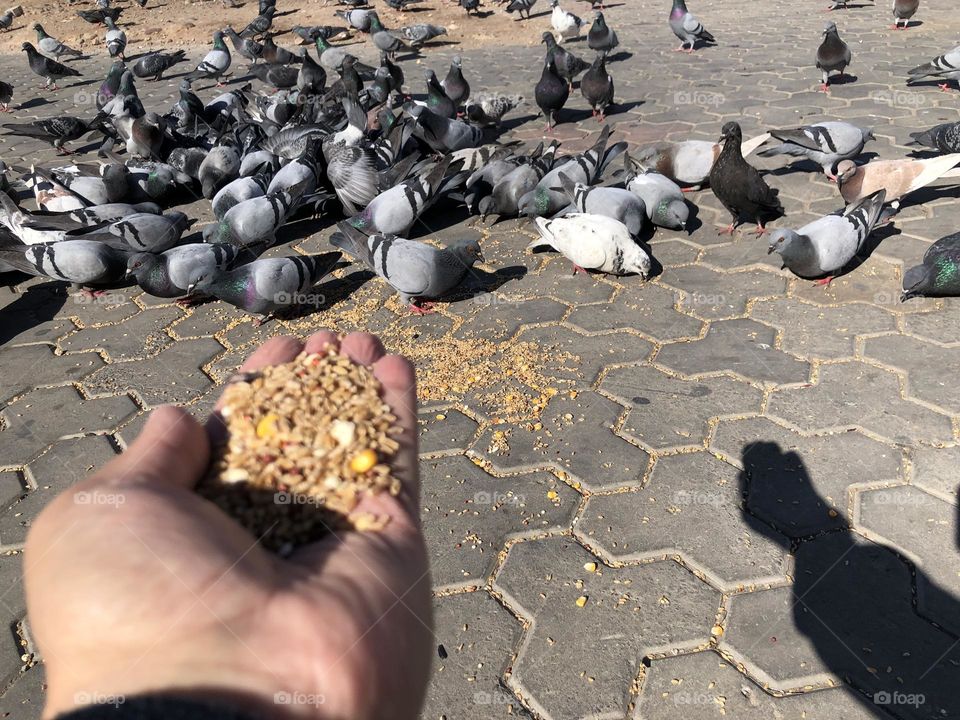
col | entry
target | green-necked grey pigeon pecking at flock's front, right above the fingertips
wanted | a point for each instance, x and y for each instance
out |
(267, 286)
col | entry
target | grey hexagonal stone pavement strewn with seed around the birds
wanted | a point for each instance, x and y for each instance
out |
(722, 492)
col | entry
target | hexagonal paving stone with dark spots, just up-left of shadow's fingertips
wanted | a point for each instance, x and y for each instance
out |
(670, 412)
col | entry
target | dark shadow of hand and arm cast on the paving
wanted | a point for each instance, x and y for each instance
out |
(852, 598)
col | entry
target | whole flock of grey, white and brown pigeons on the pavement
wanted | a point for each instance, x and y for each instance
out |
(332, 135)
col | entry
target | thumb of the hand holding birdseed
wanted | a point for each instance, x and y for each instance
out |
(172, 448)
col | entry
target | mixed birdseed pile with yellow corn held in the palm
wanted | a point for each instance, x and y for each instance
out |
(307, 440)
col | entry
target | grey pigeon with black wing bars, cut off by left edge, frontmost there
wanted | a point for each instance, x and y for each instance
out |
(83, 262)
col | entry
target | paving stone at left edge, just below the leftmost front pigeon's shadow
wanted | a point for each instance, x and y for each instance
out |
(29, 366)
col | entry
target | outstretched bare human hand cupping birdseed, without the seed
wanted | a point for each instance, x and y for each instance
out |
(136, 585)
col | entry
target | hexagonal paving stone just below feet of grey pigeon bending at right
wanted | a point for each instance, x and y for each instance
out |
(813, 331)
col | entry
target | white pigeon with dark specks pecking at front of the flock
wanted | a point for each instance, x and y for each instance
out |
(593, 242)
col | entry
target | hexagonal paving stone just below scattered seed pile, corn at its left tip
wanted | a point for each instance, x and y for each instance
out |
(575, 436)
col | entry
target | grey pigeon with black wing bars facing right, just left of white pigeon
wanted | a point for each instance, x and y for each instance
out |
(414, 269)
